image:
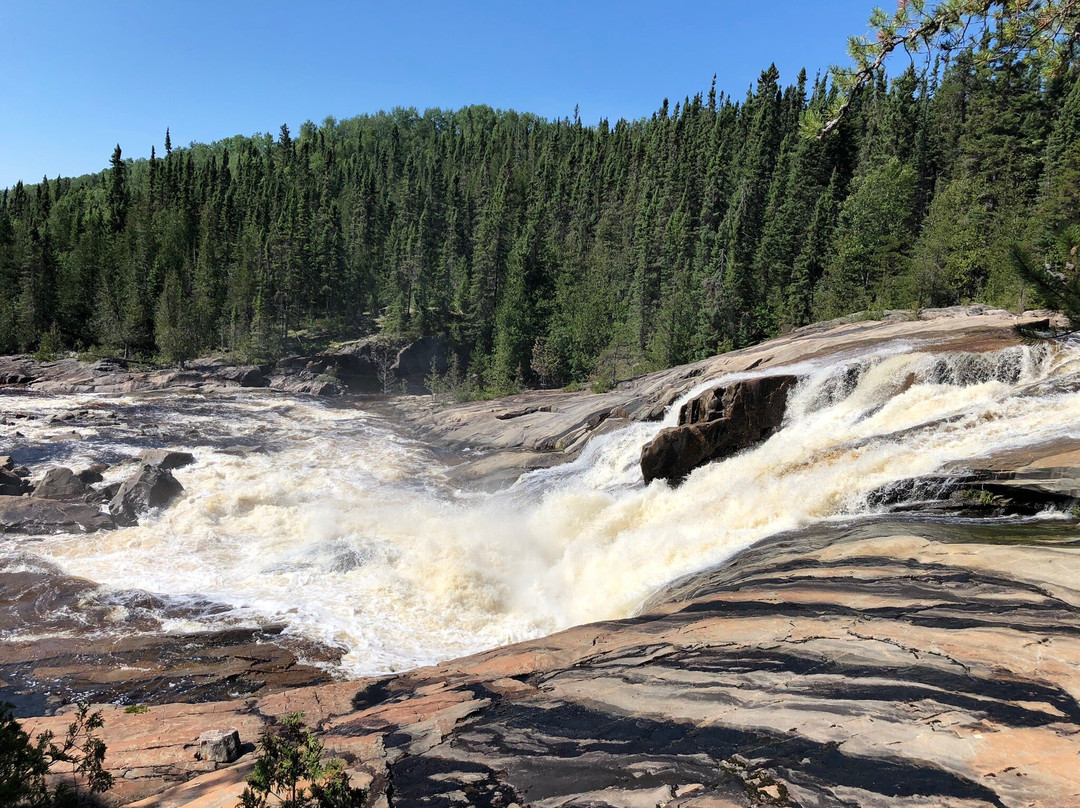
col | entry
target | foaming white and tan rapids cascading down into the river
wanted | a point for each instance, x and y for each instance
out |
(349, 533)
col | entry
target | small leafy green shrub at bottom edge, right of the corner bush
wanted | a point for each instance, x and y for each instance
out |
(291, 773)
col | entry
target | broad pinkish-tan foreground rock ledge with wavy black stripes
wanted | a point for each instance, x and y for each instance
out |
(876, 664)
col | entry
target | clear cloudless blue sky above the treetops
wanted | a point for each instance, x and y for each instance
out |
(78, 77)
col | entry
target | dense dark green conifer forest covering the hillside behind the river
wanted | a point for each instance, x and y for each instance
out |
(550, 251)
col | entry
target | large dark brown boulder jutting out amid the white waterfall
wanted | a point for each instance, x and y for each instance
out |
(718, 424)
